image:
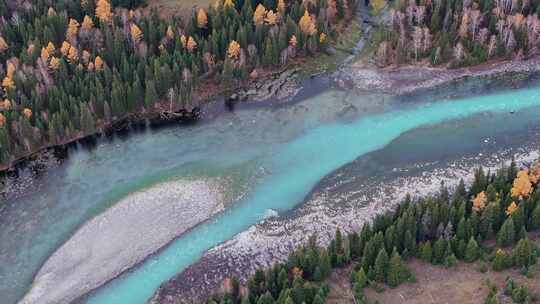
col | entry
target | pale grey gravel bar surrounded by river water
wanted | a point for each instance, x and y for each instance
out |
(123, 236)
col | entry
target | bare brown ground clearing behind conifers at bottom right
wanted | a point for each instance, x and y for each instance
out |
(464, 284)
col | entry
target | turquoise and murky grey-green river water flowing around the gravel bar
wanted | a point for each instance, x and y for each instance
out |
(273, 156)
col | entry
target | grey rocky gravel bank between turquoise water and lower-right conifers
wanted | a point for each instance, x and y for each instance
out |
(325, 210)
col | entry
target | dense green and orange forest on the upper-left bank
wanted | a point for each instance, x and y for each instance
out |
(73, 62)
